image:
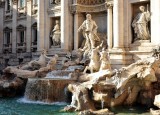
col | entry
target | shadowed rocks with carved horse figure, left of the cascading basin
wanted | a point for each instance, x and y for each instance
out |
(14, 78)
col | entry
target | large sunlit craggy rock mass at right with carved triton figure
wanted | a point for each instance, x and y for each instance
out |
(113, 88)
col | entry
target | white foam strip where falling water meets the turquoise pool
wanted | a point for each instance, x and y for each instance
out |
(24, 100)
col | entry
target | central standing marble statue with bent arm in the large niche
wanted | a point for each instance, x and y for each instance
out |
(89, 28)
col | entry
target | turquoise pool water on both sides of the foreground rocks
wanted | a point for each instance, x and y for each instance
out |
(15, 106)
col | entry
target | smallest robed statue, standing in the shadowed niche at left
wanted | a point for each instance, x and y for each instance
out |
(56, 34)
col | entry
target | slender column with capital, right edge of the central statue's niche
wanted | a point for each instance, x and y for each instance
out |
(110, 27)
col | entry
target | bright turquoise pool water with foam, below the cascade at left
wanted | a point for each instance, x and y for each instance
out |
(16, 106)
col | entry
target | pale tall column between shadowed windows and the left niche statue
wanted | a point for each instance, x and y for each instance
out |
(40, 25)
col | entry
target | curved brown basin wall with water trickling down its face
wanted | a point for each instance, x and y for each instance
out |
(47, 89)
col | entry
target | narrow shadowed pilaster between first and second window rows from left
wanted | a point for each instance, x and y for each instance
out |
(14, 27)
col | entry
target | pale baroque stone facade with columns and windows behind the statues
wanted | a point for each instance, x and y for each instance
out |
(27, 27)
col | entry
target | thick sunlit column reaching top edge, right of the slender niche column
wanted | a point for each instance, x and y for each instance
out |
(118, 24)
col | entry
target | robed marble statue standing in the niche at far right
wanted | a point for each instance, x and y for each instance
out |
(140, 24)
